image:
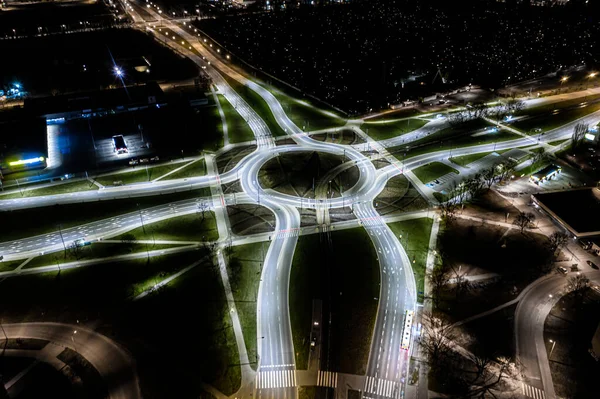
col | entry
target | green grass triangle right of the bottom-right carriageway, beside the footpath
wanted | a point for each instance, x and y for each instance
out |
(414, 236)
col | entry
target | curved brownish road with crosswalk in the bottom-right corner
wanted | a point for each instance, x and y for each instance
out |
(530, 315)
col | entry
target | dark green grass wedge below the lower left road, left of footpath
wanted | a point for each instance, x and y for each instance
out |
(190, 227)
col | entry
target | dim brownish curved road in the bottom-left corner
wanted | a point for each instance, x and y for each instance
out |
(114, 364)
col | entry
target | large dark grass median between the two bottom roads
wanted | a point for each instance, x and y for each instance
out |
(319, 274)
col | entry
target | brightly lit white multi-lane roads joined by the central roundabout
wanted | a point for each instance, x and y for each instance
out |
(276, 376)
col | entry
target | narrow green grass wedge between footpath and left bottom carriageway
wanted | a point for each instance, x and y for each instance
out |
(245, 266)
